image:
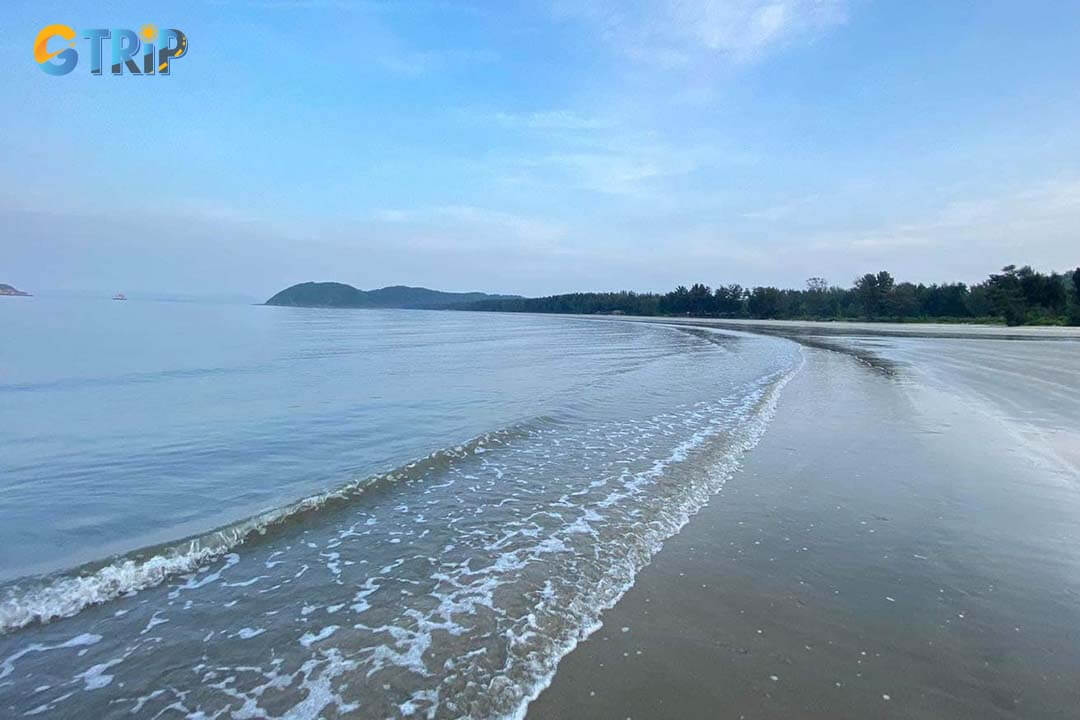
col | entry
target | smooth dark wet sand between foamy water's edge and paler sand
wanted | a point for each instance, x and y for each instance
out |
(886, 552)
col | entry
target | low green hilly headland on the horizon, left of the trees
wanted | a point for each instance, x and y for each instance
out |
(340, 295)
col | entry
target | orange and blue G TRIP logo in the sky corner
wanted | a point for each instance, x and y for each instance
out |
(150, 51)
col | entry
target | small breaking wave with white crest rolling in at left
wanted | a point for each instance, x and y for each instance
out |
(69, 593)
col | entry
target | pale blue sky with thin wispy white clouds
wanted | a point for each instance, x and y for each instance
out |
(543, 147)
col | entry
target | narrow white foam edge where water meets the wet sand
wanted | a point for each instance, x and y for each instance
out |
(761, 425)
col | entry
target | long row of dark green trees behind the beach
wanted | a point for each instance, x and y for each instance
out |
(1016, 296)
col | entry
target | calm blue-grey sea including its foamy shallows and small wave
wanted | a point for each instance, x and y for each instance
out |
(231, 511)
